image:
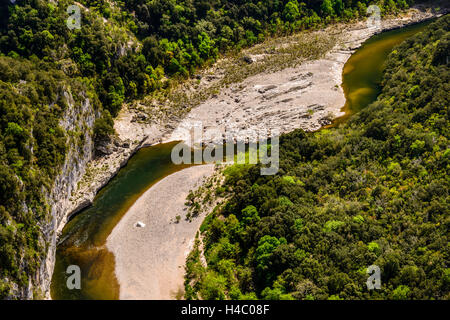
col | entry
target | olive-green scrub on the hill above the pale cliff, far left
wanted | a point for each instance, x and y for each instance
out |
(32, 149)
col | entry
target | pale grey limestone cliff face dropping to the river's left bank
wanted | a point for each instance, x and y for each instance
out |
(73, 189)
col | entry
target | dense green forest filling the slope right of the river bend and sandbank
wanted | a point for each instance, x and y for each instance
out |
(373, 191)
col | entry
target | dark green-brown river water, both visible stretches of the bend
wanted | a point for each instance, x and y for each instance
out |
(84, 237)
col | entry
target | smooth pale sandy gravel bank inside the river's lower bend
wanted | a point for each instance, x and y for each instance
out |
(150, 260)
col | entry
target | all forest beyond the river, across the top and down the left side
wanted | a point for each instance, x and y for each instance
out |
(124, 50)
